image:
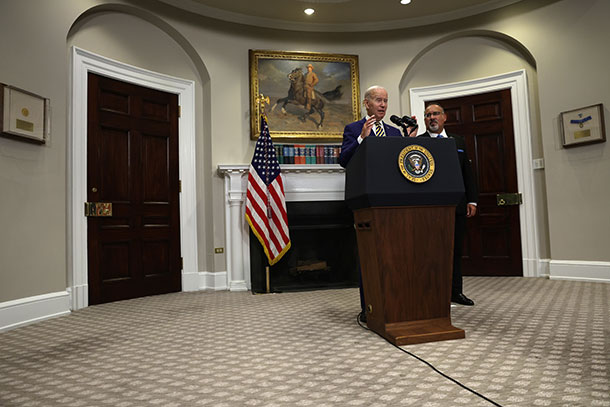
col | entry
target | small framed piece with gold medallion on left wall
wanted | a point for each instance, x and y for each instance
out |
(23, 115)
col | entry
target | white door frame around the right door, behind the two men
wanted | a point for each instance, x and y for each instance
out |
(517, 83)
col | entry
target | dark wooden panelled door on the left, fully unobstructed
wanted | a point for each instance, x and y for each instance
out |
(132, 162)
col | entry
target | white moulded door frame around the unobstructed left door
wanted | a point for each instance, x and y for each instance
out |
(84, 62)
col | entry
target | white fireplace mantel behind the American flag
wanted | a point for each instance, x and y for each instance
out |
(320, 182)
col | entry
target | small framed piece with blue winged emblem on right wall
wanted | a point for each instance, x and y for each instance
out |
(583, 126)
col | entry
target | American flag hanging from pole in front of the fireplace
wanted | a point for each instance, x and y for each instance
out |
(265, 200)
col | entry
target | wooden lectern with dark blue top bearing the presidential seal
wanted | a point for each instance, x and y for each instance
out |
(405, 238)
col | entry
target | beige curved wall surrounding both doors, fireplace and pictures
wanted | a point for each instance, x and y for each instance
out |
(566, 38)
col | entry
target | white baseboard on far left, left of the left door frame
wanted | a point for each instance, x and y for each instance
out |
(28, 310)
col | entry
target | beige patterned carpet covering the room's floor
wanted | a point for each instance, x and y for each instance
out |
(529, 342)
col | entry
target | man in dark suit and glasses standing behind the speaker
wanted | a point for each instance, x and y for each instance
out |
(435, 118)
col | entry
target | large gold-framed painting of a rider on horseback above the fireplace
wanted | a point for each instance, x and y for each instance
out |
(283, 77)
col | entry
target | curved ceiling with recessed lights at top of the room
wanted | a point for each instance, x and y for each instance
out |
(338, 15)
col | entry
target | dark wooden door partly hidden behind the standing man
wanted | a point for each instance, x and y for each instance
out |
(492, 246)
